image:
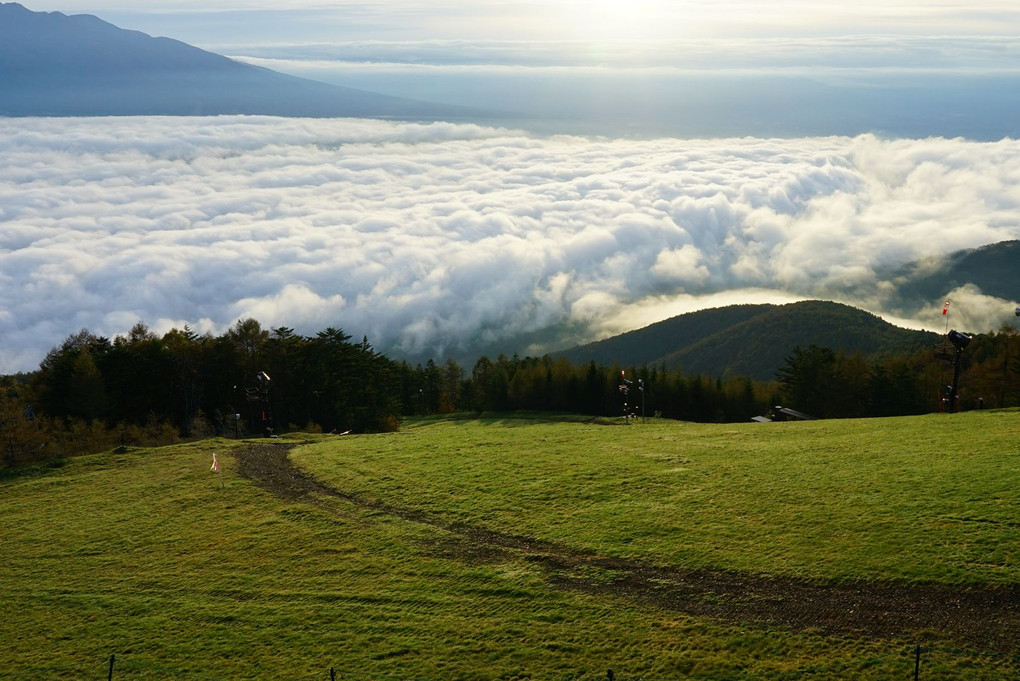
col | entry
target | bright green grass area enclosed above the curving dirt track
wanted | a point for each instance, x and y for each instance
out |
(929, 499)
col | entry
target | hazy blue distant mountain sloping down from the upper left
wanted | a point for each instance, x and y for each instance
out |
(58, 65)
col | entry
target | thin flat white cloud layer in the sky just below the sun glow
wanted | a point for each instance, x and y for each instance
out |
(835, 58)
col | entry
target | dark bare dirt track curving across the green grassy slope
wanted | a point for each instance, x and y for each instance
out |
(986, 618)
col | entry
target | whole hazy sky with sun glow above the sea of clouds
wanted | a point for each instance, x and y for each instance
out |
(641, 68)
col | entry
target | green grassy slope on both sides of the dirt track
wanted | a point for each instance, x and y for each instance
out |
(145, 555)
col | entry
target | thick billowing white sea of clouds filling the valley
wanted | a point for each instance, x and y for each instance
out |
(434, 240)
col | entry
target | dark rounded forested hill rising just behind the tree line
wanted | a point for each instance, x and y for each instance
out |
(751, 340)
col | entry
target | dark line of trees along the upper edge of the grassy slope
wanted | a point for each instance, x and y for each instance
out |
(92, 393)
